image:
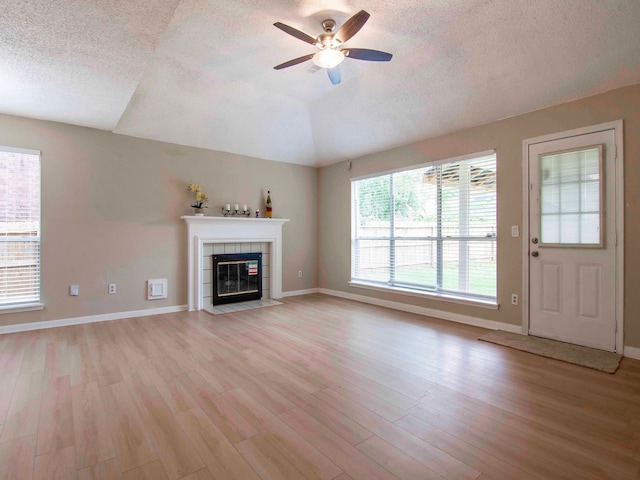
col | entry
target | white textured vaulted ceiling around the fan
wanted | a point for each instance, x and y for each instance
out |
(200, 72)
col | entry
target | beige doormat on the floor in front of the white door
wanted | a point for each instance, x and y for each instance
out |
(587, 357)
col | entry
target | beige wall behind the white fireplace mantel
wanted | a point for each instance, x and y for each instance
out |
(111, 208)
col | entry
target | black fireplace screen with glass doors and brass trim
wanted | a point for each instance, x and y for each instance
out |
(237, 277)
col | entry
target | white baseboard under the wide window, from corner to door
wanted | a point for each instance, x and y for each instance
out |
(428, 312)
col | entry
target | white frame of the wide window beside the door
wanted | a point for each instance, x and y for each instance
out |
(456, 297)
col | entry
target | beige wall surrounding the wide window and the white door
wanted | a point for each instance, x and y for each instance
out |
(506, 137)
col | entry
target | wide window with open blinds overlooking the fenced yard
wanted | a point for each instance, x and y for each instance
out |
(430, 229)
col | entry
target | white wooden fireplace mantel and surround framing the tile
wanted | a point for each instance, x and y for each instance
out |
(202, 230)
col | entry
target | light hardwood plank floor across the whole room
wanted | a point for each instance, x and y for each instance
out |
(317, 388)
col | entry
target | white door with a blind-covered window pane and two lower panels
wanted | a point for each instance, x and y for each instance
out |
(572, 244)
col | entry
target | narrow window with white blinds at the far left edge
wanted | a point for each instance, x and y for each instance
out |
(19, 228)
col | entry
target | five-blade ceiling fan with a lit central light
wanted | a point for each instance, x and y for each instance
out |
(331, 51)
